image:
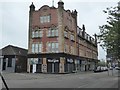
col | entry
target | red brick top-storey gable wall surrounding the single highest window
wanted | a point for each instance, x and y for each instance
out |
(45, 10)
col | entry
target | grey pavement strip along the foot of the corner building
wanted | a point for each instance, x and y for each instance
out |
(32, 76)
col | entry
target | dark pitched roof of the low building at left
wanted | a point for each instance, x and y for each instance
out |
(13, 50)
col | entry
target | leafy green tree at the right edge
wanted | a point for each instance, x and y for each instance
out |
(109, 35)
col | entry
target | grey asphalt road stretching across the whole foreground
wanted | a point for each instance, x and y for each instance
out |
(74, 80)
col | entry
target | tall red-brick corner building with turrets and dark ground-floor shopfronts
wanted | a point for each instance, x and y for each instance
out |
(56, 44)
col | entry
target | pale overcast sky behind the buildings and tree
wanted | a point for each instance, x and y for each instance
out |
(14, 18)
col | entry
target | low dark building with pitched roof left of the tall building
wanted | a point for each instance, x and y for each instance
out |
(14, 59)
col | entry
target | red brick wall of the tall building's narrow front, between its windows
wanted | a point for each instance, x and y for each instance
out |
(45, 10)
